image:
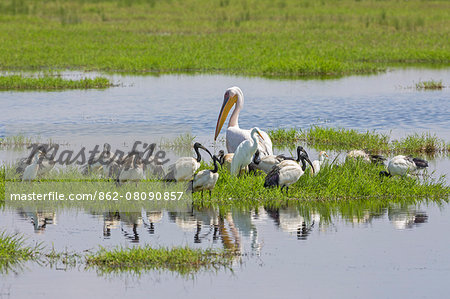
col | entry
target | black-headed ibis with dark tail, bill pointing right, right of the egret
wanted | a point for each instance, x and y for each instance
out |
(287, 172)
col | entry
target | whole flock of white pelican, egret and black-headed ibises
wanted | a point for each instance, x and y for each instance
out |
(248, 150)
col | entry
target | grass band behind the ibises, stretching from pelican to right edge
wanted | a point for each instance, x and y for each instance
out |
(325, 138)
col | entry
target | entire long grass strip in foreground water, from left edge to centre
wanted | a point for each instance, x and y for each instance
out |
(183, 260)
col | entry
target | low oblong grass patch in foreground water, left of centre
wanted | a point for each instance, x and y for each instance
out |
(183, 260)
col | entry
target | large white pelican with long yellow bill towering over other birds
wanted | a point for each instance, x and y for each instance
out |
(236, 135)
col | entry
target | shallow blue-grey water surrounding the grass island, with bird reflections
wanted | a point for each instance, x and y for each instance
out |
(400, 250)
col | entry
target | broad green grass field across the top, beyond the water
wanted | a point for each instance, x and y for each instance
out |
(252, 37)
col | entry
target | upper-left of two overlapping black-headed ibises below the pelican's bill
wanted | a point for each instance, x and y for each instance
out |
(184, 168)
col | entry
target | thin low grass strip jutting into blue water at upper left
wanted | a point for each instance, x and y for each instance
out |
(19, 82)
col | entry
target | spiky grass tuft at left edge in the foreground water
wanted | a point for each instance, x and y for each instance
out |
(14, 252)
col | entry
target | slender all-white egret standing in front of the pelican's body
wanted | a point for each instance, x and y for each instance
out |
(244, 152)
